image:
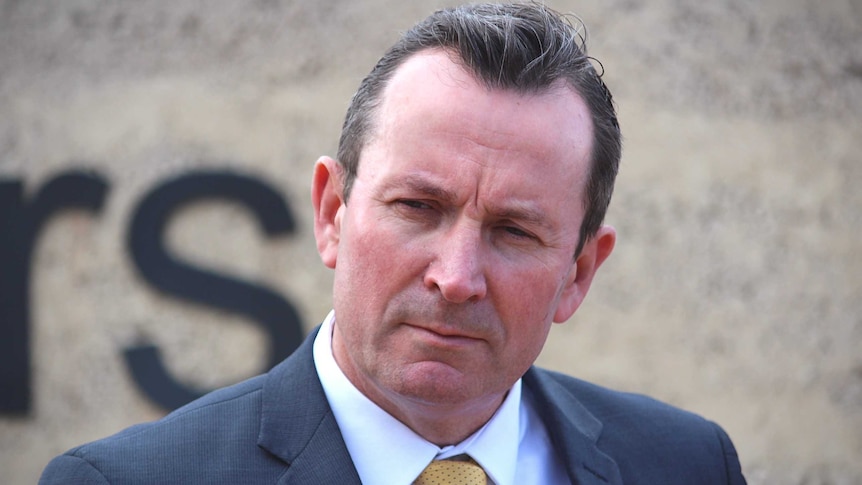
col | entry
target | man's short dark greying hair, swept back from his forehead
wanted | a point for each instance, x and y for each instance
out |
(523, 47)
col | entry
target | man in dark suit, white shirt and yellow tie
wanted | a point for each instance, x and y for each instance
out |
(462, 218)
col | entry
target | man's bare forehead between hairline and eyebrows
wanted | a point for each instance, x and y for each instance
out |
(431, 100)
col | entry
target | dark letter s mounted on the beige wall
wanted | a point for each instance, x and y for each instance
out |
(188, 282)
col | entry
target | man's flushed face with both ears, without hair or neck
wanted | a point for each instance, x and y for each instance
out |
(455, 252)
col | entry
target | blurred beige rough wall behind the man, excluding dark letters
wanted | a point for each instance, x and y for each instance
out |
(734, 290)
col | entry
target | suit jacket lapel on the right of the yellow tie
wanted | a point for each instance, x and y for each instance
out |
(573, 430)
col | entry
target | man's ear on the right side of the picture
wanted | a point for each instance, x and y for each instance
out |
(594, 253)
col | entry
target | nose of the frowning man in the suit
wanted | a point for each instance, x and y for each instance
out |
(457, 269)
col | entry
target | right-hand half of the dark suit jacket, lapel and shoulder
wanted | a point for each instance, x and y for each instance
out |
(629, 438)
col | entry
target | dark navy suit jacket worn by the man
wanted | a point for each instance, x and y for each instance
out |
(278, 428)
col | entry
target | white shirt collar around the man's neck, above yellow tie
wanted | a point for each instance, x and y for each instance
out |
(385, 451)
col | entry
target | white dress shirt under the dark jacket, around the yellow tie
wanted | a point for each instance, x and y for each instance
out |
(513, 447)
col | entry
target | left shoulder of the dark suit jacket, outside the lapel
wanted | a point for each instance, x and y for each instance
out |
(222, 425)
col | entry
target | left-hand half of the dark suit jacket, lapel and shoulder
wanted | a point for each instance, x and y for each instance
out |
(274, 428)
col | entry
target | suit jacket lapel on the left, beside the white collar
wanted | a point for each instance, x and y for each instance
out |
(297, 424)
